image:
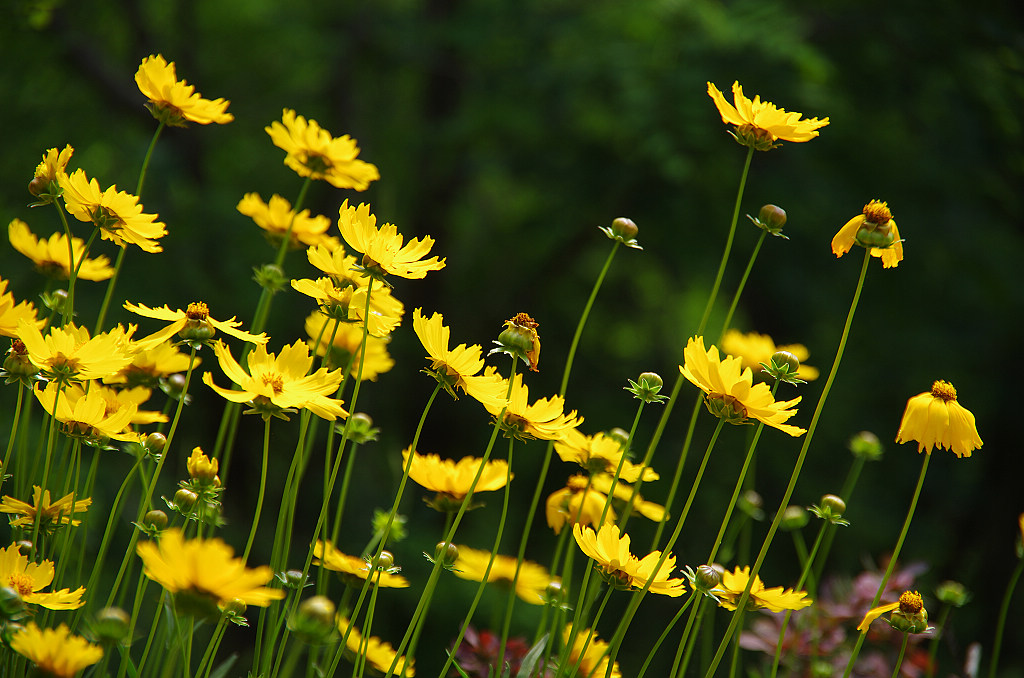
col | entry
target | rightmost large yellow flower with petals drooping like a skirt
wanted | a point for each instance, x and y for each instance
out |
(935, 419)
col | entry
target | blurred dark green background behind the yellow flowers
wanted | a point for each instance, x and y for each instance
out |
(509, 133)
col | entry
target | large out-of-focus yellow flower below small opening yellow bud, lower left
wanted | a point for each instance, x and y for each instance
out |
(206, 569)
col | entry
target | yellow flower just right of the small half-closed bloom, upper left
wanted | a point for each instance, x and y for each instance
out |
(118, 215)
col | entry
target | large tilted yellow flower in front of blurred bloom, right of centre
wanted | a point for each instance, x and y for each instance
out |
(732, 392)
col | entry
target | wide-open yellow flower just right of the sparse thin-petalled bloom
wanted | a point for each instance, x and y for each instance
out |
(276, 385)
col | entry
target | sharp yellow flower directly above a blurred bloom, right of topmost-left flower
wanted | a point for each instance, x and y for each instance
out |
(314, 153)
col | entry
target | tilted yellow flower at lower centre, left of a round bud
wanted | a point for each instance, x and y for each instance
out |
(611, 553)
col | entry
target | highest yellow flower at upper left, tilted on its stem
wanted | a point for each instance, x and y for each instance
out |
(176, 102)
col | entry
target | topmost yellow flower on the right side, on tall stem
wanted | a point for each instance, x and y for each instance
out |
(760, 124)
